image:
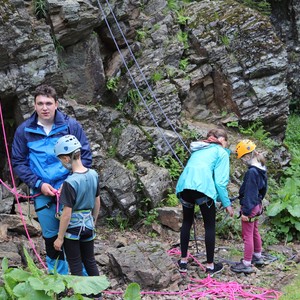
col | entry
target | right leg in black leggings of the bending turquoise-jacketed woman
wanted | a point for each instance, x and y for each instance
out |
(208, 211)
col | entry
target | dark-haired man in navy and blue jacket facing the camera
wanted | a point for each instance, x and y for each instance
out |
(35, 163)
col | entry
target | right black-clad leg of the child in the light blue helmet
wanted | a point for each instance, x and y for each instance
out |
(88, 257)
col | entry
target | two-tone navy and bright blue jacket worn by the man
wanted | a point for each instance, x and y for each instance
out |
(33, 157)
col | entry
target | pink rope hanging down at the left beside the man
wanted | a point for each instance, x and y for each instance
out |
(14, 190)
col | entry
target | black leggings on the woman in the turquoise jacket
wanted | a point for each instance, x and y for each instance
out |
(208, 211)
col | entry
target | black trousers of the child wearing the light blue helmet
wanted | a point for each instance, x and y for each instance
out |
(78, 253)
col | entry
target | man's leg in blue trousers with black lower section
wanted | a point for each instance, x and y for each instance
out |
(50, 225)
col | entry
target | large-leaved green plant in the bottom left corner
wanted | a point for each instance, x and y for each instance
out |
(33, 283)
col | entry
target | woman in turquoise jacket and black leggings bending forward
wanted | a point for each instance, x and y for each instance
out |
(204, 181)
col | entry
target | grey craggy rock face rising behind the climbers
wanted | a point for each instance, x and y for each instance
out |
(136, 92)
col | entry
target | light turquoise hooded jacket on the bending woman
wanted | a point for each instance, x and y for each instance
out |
(207, 171)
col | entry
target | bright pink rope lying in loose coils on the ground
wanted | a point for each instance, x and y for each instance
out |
(209, 287)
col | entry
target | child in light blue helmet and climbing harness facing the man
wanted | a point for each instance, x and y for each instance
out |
(81, 204)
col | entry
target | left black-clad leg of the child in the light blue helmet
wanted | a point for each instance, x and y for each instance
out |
(72, 249)
